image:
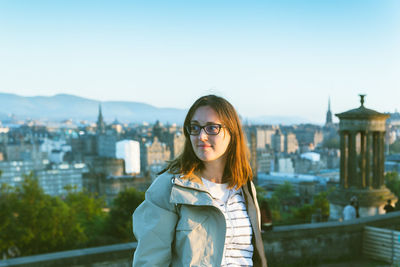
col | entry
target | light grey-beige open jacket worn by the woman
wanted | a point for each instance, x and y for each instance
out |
(179, 224)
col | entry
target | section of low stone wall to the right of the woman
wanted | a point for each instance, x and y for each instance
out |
(309, 244)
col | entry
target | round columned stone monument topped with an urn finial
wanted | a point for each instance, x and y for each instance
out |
(362, 133)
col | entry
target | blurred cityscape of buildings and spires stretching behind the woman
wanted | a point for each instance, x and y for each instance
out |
(105, 159)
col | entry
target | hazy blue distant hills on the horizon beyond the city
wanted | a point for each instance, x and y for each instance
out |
(63, 106)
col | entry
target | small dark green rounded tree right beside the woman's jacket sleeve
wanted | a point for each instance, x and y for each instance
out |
(119, 225)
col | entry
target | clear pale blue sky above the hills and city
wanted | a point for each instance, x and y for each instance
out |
(266, 57)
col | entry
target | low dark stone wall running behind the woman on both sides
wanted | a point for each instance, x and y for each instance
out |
(300, 245)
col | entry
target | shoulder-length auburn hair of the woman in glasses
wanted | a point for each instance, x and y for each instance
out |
(237, 169)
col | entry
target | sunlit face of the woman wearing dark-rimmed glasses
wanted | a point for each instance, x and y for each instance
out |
(207, 147)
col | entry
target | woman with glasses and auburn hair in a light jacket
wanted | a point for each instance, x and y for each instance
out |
(202, 211)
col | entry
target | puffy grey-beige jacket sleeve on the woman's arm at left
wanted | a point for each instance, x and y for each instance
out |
(154, 223)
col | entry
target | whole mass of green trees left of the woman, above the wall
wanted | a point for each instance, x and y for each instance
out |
(32, 222)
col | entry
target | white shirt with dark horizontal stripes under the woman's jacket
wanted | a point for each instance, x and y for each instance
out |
(238, 249)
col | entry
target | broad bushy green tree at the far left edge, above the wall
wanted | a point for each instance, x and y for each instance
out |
(36, 222)
